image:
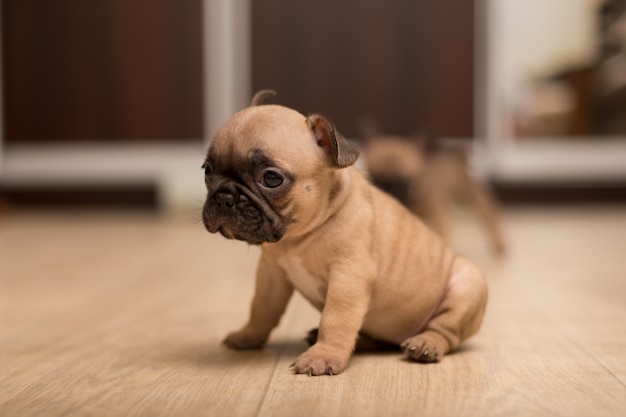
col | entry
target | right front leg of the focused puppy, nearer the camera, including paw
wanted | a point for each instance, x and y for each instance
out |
(345, 306)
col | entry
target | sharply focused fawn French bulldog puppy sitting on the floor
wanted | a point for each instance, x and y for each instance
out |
(278, 179)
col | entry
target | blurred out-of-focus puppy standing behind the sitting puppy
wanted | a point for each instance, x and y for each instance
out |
(429, 177)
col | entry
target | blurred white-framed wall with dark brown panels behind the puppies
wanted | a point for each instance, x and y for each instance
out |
(111, 103)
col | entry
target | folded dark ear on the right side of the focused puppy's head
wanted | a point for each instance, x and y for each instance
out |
(341, 152)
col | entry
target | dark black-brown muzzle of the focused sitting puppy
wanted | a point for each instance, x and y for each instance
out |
(238, 214)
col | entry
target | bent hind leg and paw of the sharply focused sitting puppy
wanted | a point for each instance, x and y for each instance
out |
(458, 316)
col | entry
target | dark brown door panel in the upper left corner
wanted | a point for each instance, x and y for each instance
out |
(114, 70)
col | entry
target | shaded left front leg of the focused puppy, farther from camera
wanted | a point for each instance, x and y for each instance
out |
(272, 293)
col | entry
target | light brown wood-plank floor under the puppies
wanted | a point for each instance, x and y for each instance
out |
(123, 314)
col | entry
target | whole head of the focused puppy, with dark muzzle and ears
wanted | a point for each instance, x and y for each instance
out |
(268, 172)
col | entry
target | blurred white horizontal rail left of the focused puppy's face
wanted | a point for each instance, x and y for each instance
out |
(174, 169)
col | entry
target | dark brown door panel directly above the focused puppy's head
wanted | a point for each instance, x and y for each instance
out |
(406, 64)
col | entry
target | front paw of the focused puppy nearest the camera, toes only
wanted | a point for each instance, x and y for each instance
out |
(321, 360)
